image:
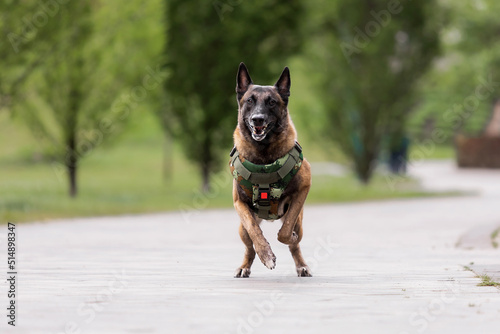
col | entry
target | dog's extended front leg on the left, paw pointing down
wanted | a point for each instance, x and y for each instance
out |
(251, 225)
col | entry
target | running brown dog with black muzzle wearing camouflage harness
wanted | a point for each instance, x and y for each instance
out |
(271, 177)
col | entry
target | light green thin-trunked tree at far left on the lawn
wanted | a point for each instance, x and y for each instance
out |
(90, 81)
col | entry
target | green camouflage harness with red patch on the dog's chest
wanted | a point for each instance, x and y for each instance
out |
(265, 184)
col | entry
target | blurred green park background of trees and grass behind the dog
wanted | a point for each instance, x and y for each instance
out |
(111, 107)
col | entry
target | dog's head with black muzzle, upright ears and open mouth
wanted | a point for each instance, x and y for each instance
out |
(262, 109)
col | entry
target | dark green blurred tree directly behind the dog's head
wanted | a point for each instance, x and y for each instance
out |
(205, 43)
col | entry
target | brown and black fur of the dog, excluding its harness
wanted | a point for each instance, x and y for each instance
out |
(265, 133)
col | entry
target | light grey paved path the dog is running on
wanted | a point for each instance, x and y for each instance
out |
(379, 267)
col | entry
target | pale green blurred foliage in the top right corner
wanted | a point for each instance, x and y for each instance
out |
(457, 96)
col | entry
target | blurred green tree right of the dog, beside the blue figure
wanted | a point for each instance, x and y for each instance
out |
(372, 53)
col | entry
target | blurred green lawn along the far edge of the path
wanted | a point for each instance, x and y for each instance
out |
(128, 177)
